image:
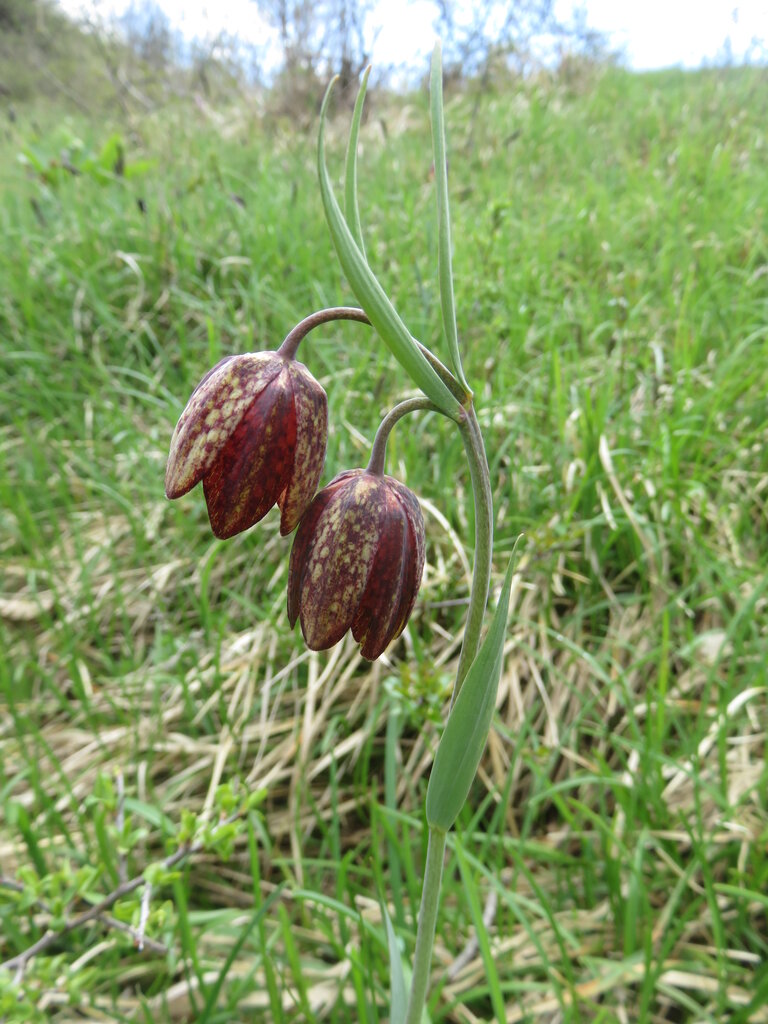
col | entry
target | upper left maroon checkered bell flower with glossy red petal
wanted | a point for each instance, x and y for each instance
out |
(254, 433)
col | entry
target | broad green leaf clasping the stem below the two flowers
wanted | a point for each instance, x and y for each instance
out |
(467, 731)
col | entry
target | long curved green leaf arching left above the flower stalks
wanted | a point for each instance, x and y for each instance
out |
(371, 295)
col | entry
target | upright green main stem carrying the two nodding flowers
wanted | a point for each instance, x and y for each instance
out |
(484, 502)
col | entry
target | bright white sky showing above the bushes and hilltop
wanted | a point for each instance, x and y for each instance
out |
(652, 33)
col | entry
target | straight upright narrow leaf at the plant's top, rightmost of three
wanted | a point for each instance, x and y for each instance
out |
(445, 258)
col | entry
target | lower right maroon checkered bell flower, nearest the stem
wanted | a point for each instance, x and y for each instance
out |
(357, 563)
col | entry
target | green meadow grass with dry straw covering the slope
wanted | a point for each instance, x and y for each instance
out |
(611, 262)
